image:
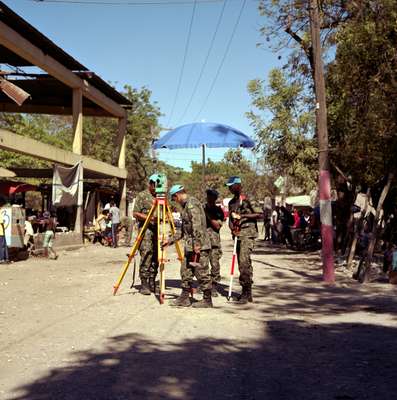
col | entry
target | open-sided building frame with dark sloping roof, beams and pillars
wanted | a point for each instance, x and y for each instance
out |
(65, 87)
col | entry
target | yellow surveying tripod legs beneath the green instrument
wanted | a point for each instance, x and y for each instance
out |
(164, 216)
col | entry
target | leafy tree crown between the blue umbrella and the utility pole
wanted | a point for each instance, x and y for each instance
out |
(282, 118)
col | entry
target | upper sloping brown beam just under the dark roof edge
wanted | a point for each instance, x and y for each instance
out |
(13, 41)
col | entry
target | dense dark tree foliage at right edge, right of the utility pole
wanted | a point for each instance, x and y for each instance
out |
(362, 88)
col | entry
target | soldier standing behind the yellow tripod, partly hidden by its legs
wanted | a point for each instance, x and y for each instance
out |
(148, 250)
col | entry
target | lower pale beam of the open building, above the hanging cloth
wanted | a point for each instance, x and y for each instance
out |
(21, 144)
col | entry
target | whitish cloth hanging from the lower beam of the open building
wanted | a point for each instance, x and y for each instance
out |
(65, 186)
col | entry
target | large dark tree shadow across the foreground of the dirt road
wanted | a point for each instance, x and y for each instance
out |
(295, 360)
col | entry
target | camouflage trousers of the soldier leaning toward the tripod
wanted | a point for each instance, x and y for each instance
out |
(201, 271)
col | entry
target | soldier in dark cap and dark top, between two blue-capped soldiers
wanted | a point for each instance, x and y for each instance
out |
(215, 218)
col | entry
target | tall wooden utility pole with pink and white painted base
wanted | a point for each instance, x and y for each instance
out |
(322, 137)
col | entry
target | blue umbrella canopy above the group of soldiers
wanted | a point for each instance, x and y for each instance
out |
(203, 133)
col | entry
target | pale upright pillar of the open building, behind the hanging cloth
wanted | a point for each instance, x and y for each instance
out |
(78, 149)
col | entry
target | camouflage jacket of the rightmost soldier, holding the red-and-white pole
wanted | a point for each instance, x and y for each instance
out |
(242, 205)
